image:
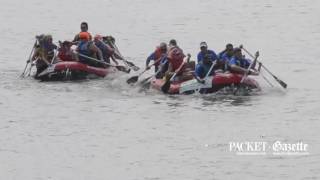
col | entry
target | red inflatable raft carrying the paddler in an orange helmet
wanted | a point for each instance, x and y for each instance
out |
(72, 70)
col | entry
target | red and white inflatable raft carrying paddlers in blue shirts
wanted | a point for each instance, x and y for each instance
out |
(213, 84)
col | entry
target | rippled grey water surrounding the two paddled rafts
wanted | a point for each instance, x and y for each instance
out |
(104, 129)
